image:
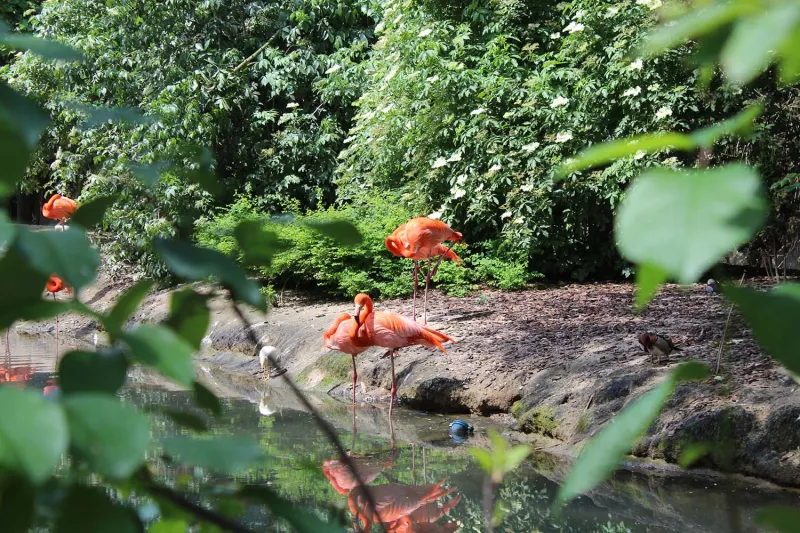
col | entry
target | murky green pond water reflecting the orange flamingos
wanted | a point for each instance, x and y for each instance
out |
(423, 480)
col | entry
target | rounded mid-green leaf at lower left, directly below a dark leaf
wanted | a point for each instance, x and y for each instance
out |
(110, 436)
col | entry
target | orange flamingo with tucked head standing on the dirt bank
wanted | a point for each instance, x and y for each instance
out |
(419, 239)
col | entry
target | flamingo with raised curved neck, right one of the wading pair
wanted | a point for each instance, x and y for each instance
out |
(393, 331)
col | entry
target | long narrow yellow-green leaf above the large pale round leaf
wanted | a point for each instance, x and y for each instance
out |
(740, 124)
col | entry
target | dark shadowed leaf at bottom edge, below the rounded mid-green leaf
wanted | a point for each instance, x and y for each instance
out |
(90, 510)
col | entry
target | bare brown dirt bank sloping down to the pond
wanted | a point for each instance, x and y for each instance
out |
(562, 359)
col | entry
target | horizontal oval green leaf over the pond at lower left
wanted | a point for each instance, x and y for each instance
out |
(222, 454)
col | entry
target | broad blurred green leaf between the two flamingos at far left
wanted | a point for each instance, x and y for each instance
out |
(67, 254)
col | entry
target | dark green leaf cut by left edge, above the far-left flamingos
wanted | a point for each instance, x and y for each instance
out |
(21, 124)
